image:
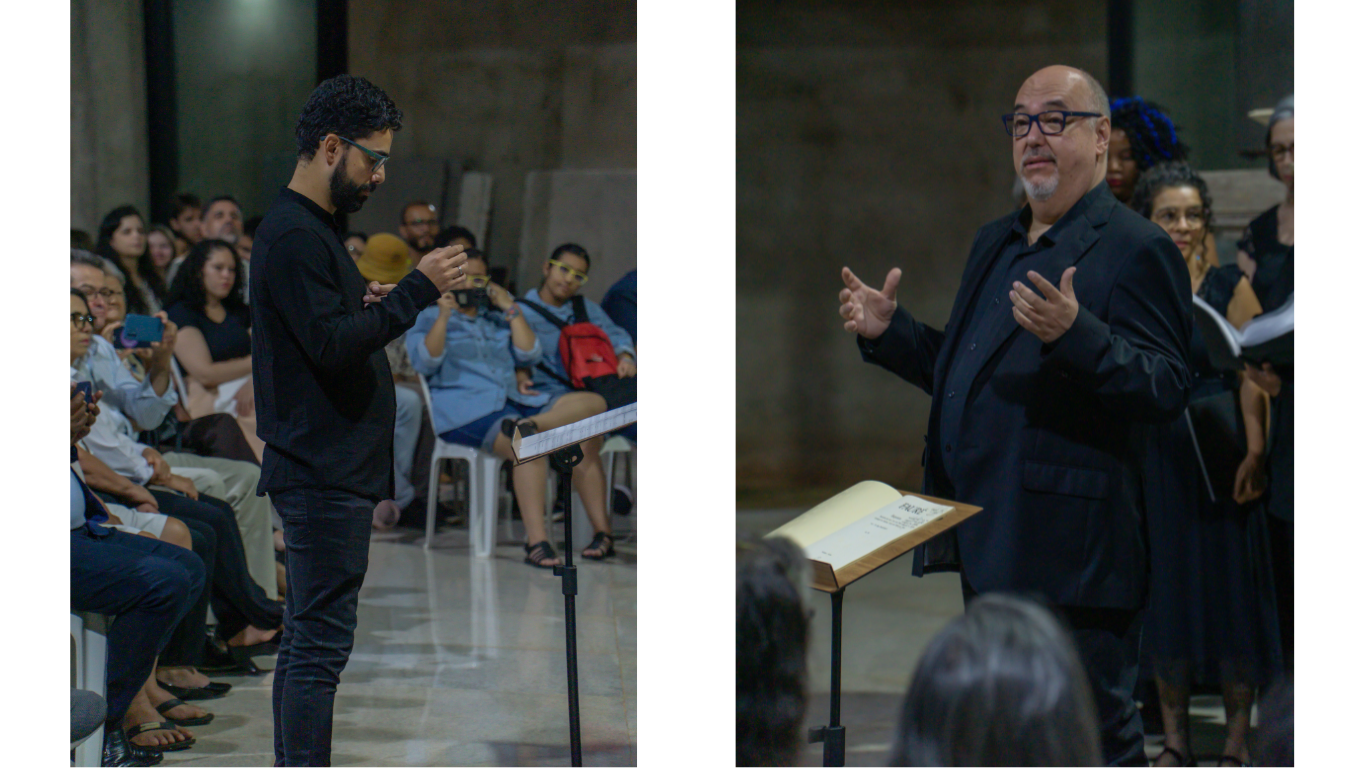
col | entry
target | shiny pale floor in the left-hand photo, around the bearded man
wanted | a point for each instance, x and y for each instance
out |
(461, 662)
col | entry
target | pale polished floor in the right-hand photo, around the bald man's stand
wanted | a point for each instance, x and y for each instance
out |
(890, 618)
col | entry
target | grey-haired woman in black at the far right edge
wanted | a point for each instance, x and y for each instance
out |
(1267, 256)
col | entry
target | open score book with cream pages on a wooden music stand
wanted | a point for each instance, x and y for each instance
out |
(867, 527)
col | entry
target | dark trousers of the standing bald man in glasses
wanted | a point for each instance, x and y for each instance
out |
(1109, 644)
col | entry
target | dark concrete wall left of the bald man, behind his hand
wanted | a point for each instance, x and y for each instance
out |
(868, 136)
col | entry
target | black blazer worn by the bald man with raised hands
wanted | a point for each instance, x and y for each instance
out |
(1051, 442)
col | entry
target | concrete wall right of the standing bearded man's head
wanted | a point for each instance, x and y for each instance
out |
(506, 90)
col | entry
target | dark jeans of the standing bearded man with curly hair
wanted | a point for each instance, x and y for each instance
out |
(327, 536)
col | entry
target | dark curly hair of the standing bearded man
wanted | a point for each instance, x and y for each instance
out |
(346, 106)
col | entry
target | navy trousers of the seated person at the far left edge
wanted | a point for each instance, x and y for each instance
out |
(148, 587)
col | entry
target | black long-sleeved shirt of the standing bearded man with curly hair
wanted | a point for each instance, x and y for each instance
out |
(324, 393)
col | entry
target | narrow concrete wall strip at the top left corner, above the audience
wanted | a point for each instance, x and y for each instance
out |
(109, 110)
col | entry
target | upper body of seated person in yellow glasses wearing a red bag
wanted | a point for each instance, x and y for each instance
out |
(563, 275)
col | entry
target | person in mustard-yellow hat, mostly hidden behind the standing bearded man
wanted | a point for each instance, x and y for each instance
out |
(386, 260)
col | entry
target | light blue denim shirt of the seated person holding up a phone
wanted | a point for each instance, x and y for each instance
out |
(476, 374)
